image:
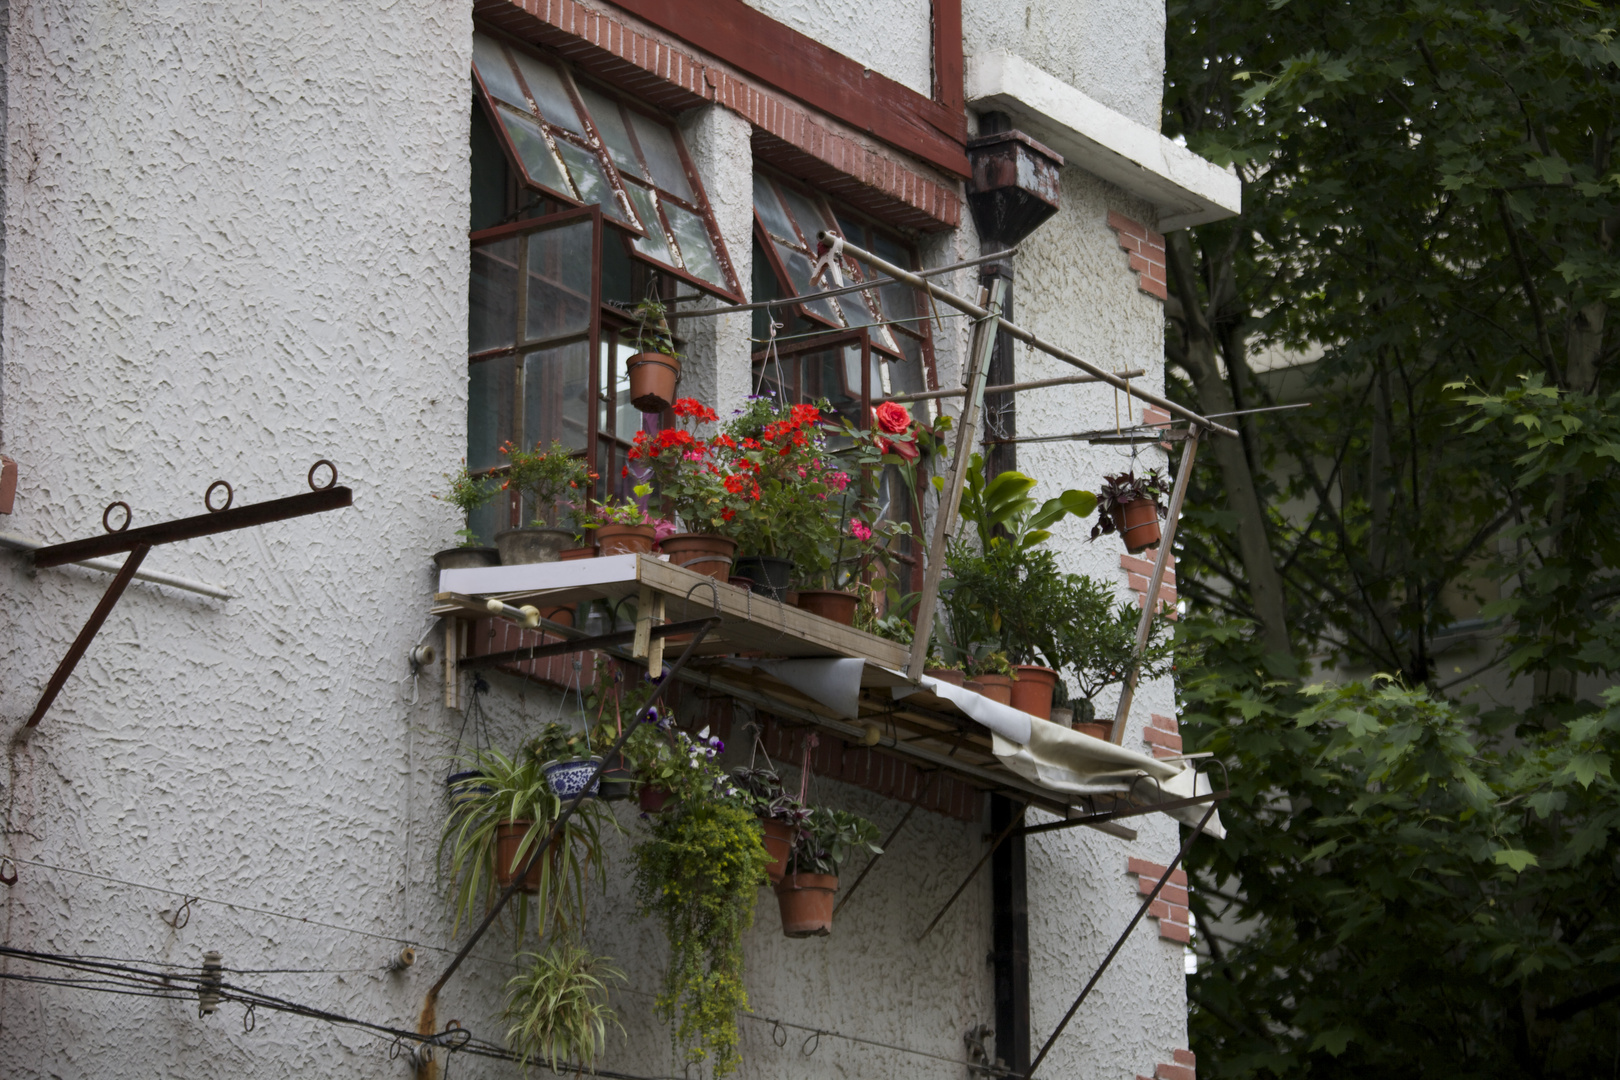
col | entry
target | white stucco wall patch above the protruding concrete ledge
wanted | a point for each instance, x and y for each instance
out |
(1111, 49)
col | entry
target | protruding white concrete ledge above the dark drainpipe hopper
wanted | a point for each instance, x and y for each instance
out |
(1185, 189)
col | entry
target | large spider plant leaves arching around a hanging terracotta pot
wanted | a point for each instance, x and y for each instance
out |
(513, 789)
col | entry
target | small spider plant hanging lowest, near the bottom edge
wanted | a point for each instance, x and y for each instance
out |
(558, 1006)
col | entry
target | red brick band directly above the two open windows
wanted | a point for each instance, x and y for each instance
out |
(625, 51)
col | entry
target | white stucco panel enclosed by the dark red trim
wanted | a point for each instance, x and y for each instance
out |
(893, 38)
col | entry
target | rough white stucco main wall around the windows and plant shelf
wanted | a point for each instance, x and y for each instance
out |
(237, 244)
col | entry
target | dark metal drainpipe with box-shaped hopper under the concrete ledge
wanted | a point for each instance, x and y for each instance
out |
(1013, 190)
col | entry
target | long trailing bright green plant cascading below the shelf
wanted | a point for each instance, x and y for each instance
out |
(699, 874)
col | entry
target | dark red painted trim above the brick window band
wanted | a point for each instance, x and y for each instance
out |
(825, 80)
